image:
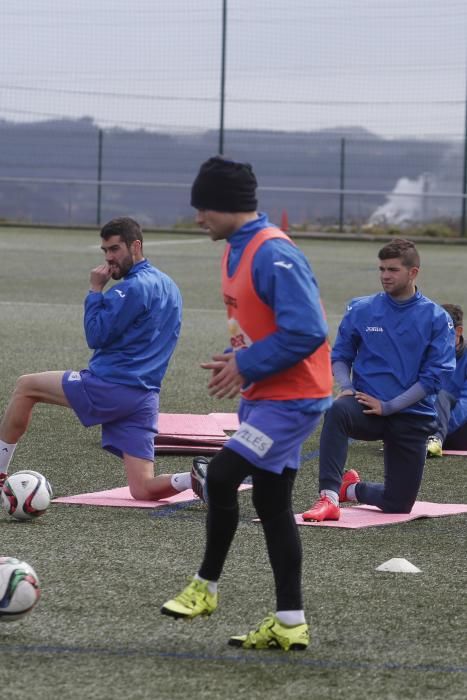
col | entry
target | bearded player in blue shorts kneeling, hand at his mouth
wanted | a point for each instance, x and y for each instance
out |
(132, 328)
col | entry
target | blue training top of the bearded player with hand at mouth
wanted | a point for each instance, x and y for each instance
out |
(133, 327)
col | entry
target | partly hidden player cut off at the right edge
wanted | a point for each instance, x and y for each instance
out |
(451, 402)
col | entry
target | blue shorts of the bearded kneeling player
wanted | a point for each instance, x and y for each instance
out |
(128, 415)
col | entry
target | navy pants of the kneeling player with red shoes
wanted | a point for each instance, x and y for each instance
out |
(404, 437)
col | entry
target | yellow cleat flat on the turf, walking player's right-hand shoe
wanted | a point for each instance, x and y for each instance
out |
(272, 634)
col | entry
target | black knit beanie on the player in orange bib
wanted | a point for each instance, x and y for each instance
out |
(224, 185)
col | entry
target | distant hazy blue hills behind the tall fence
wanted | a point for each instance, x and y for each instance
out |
(68, 150)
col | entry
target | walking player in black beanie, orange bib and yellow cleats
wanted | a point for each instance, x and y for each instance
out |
(279, 360)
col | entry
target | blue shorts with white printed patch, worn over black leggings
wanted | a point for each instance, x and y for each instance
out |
(271, 436)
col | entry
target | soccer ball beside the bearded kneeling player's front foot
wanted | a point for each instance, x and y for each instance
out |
(26, 495)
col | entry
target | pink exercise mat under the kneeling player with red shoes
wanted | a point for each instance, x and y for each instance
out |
(354, 517)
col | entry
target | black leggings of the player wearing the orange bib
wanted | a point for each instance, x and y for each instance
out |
(272, 498)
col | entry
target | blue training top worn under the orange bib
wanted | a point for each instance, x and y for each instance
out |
(284, 280)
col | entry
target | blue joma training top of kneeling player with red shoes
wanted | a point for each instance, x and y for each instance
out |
(392, 345)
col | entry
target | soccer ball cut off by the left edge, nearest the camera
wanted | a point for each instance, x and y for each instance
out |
(19, 588)
